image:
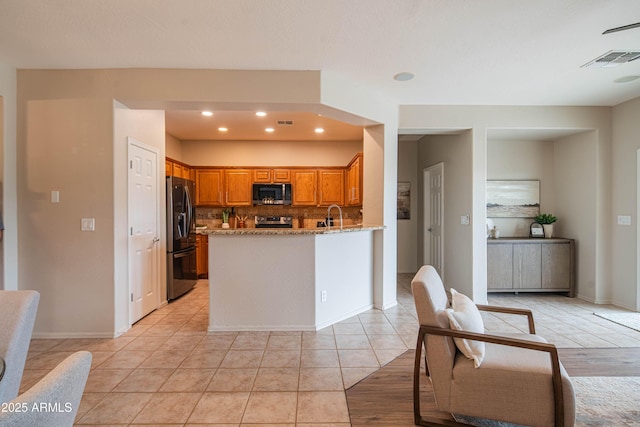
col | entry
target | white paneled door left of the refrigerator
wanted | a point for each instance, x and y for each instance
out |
(144, 233)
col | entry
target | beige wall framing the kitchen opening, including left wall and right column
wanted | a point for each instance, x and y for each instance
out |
(84, 136)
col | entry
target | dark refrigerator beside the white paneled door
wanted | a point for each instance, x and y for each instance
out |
(182, 272)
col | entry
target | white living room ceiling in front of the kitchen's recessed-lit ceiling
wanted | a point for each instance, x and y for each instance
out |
(462, 52)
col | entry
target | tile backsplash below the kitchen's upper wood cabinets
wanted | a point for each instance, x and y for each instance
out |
(309, 216)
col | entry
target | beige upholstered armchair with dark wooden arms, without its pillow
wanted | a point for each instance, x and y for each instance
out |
(520, 379)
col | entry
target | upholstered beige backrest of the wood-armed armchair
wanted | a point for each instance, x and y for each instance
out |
(431, 302)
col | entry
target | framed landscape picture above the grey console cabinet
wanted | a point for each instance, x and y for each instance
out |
(513, 198)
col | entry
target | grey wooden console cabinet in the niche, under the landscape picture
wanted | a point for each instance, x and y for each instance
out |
(531, 265)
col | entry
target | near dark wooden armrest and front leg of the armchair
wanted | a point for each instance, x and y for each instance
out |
(556, 377)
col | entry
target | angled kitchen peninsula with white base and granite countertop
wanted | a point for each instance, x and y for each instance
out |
(289, 279)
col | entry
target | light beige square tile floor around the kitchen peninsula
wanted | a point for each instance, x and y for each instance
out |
(167, 370)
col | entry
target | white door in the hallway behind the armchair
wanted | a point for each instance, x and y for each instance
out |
(433, 241)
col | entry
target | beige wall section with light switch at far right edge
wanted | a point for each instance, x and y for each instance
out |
(625, 254)
